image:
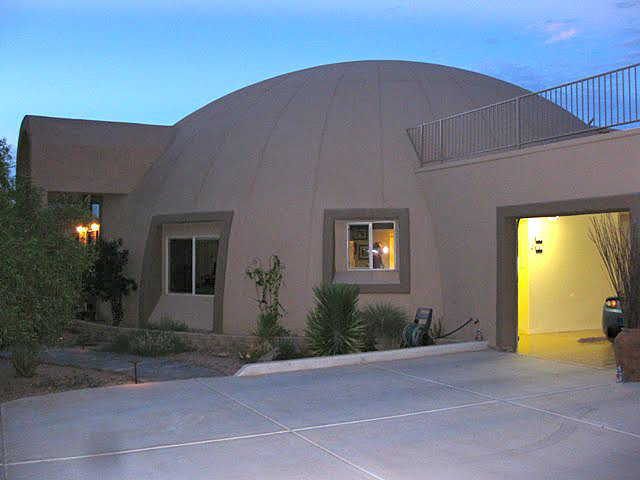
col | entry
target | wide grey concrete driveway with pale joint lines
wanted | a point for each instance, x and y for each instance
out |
(471, 415)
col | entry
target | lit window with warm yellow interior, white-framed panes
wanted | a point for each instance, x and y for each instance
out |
(371, 245)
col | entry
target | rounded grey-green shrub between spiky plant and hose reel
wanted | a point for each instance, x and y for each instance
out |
(384, 323)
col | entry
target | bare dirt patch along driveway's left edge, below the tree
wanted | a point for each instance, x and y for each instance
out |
(53, 379)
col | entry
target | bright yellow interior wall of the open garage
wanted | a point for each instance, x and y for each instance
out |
(562, 288)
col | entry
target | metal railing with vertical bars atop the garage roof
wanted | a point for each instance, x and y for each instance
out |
(577, 108)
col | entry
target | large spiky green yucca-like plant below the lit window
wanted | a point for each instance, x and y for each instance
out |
(335, 327)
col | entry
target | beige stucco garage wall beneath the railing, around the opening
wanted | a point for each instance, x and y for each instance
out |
(463, 199)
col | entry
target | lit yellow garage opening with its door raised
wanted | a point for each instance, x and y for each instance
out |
(563, 289)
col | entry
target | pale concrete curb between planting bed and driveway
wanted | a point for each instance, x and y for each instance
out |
(313, 363)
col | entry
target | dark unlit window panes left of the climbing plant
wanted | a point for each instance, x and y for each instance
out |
(192, 265)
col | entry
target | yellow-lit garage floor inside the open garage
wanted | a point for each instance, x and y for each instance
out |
(588, 347)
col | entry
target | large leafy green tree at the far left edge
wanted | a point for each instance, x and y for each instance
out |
(42, 265)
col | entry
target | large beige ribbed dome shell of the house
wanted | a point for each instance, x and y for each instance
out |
(282, 151)
